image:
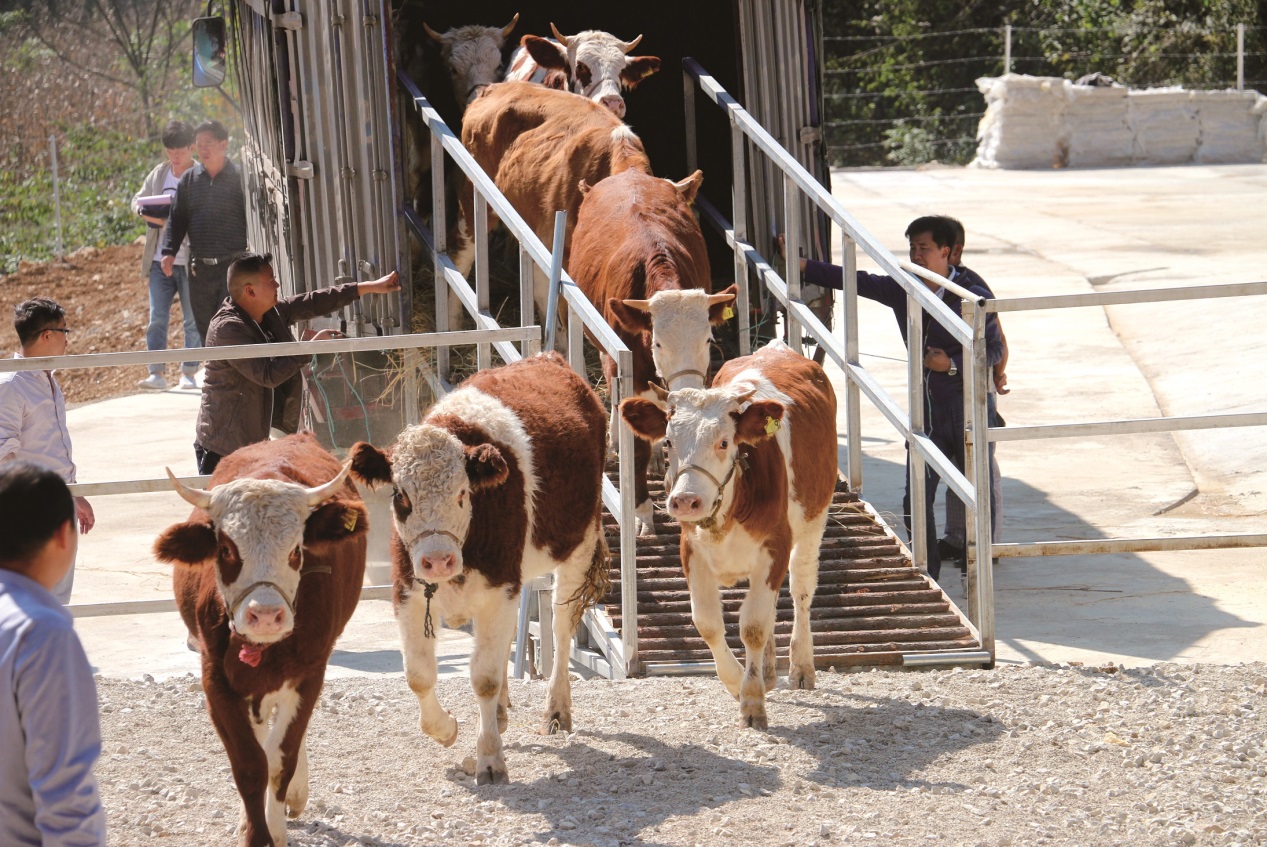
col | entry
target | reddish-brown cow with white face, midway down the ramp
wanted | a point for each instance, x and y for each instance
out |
(639, 256)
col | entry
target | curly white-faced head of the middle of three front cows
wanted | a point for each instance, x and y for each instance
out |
(434, 475)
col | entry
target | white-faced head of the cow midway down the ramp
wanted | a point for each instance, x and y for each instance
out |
(681, 325)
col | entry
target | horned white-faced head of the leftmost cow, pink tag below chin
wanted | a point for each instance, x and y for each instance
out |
(257, 534)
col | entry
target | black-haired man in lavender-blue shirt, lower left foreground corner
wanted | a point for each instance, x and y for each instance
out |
(50, 729)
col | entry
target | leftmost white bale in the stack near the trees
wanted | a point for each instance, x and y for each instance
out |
(1023, 122)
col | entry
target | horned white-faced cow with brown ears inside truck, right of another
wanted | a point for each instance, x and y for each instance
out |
(594, 64)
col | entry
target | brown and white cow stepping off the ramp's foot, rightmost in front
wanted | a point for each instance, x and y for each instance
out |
(752, 472)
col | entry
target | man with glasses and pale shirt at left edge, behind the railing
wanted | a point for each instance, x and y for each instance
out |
(34, 410)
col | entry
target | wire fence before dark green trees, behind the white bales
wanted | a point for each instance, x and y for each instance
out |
(910, 99)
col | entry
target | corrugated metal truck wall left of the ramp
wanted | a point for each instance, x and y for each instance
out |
(322, 173)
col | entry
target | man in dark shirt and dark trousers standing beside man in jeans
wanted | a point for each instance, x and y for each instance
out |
(211, 210)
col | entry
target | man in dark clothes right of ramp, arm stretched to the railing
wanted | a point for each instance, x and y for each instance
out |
(932, 240)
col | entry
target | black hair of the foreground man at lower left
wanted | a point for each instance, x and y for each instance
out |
(35, 505)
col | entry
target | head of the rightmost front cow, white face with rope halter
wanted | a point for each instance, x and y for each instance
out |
(703, 431)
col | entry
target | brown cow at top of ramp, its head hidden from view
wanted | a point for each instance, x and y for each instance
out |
(539, 145)
